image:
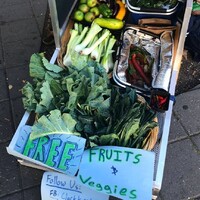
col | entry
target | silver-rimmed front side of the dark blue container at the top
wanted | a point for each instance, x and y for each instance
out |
(137, 13)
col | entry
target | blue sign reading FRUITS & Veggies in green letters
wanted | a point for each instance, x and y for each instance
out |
(122, 172)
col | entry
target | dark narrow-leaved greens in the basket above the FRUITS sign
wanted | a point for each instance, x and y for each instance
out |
(130, 121)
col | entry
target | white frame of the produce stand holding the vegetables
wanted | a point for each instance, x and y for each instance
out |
(60, 12)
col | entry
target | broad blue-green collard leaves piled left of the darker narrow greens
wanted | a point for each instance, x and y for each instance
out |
(54, 87)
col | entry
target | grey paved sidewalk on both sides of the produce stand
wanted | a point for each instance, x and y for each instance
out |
(21, 25)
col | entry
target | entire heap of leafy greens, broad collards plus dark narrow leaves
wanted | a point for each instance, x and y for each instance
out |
(81, 101)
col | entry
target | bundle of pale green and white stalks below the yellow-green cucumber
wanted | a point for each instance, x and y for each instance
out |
(90, 43)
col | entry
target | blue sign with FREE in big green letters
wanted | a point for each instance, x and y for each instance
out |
(62, 152)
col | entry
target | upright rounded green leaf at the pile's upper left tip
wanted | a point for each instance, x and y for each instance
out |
(36, 66)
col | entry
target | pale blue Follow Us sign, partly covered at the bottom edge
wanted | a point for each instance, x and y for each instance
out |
(62, 187)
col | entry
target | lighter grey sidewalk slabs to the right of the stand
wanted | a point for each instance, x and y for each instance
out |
(182, 169)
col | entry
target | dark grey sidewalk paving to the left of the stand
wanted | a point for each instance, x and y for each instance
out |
(21, 27)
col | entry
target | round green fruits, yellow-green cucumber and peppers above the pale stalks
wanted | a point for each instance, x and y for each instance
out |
(106, 13)
